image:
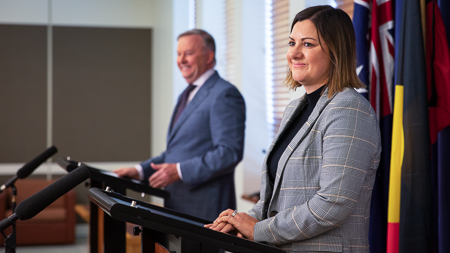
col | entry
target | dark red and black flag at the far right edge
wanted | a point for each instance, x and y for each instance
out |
(438, 80)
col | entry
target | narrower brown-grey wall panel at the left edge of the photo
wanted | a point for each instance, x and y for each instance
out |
(23, 92)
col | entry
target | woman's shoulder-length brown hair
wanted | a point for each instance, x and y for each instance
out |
(336, 29)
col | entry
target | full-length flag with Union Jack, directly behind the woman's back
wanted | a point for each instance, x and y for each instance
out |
(374, 29)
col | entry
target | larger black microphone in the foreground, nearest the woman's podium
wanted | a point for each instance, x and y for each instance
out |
(33, 205)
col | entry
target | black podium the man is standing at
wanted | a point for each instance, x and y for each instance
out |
(114, 236)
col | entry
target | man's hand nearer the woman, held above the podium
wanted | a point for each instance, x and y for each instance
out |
(166, 173)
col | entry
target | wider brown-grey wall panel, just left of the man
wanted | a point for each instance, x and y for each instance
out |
(101, 93)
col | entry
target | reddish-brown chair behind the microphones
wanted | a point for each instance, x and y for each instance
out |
(53, 225)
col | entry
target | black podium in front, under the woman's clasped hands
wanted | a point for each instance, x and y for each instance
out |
(158, 223)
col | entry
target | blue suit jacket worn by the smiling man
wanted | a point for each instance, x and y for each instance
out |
(207, 140)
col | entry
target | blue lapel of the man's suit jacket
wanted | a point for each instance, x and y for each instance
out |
(201, 95)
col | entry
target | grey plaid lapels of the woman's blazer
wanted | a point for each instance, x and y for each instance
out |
(298, 138)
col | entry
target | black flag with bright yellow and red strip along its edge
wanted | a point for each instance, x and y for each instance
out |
(410, 215)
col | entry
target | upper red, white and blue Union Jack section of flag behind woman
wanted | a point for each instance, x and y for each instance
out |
(374, 24)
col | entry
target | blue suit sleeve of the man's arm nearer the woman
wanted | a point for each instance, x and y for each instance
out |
(227, 126)
